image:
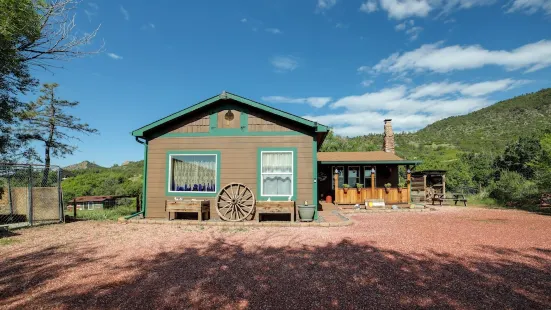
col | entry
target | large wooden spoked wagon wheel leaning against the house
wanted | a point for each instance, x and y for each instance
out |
(235, 202)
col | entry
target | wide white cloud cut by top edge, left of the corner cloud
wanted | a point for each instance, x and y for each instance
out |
(402, 9)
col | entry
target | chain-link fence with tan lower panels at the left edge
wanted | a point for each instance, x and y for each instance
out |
(30, 194)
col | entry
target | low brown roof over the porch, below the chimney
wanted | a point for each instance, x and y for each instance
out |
(375, 157)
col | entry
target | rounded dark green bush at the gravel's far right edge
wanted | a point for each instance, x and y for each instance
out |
(513, 189)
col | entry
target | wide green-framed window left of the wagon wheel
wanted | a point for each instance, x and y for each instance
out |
(193, 173)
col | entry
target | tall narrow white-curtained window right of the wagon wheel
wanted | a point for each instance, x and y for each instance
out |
(276, 173)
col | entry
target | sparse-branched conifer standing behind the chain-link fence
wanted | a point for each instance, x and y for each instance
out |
(46, 121)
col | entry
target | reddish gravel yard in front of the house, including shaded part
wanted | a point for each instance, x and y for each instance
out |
(454, 258)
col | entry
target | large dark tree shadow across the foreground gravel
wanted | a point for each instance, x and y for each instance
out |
(343, 275)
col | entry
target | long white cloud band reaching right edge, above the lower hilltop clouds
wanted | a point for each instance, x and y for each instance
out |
(438, 58)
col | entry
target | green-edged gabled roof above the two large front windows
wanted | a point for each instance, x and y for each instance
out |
(225, 95)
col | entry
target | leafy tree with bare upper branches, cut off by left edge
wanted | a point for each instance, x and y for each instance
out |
(33, 33)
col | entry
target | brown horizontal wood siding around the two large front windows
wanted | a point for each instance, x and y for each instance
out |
(238, 163)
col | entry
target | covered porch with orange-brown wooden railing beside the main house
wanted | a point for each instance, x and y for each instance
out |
(357, 177)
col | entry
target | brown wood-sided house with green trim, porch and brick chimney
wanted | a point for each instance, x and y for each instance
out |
(226, 139)
